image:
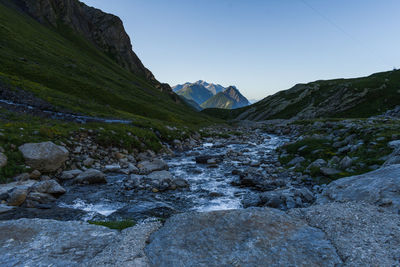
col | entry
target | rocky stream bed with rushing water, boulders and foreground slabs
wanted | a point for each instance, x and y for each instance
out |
(227, 196)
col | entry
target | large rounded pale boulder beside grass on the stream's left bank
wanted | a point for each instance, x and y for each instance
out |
(45, 157)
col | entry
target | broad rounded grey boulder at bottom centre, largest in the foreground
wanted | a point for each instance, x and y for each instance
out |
(252, 237)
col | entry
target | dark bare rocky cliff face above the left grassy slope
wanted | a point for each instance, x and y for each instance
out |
(104, 30)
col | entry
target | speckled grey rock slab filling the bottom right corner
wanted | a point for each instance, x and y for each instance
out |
(363, 235)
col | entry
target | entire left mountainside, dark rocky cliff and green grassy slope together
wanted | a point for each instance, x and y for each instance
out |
(78, 58)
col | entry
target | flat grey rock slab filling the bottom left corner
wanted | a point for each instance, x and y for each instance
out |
(38, 242)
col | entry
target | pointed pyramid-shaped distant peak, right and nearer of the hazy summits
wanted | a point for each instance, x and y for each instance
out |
(230, 98)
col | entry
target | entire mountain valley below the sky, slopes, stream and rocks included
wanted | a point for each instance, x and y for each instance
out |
(101, 164)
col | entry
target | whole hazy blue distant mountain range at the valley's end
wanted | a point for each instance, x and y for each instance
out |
(209, 95)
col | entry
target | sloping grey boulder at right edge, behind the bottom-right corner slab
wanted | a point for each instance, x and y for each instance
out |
(380, 187)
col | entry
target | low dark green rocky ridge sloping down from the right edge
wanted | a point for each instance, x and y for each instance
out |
(341, 98)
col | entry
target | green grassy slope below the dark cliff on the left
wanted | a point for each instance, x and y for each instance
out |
(67, 71)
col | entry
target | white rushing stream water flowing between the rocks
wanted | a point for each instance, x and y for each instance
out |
(210, 188)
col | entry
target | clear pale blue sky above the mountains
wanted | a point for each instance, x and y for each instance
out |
(260, 46)
